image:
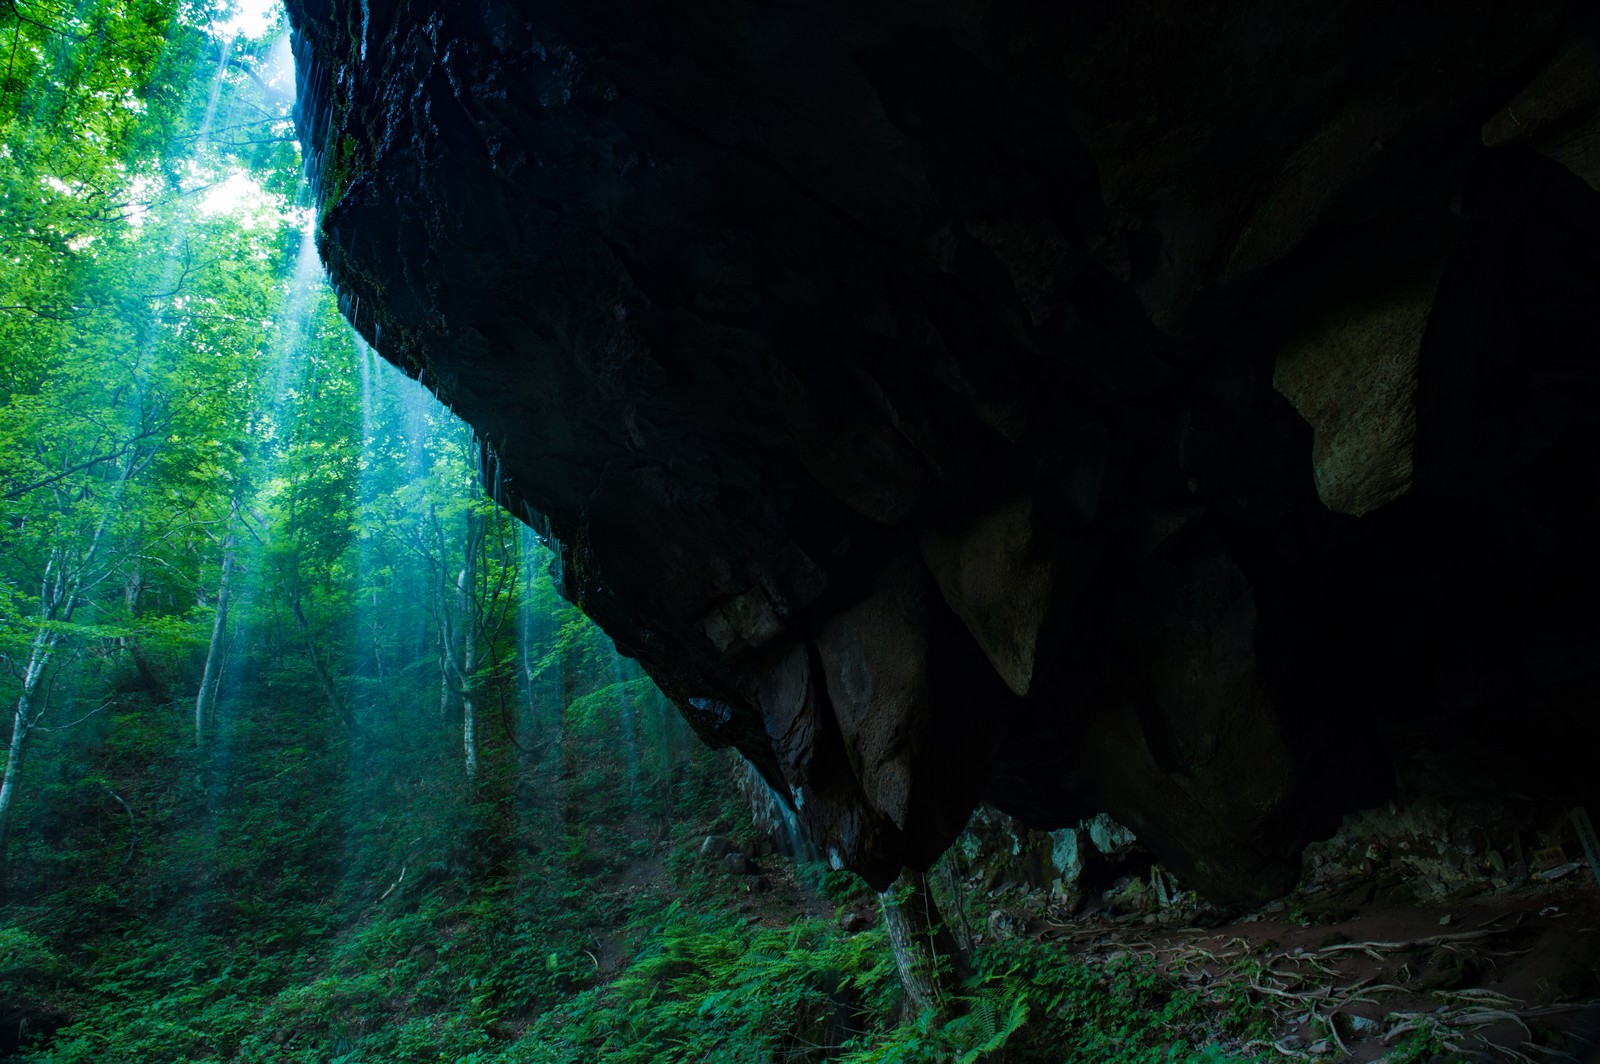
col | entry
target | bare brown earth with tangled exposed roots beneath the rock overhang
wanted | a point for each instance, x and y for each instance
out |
(1348, 977)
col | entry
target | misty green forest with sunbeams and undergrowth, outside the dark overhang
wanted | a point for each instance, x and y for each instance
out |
(308, 756)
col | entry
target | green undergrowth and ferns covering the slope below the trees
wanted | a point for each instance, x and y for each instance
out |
(314, 900)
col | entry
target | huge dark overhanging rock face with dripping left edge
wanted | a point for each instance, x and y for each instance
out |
(1164, 410)
